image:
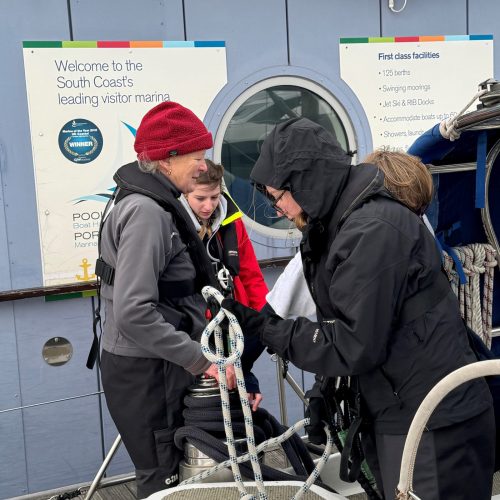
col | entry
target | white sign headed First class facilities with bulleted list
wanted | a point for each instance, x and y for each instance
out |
(408, 84)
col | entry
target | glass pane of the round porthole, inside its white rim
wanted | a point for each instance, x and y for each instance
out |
(250, 125)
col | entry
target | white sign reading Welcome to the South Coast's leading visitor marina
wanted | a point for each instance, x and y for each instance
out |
(86, 100)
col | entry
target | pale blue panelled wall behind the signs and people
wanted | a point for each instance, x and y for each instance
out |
(50, 445)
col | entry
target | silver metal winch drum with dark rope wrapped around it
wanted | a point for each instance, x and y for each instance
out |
(196, 461)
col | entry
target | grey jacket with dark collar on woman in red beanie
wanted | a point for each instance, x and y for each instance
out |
(154, 308)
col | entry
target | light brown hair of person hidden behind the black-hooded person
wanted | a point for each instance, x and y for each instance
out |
(406, 178)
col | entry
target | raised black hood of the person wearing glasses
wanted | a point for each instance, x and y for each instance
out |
(307, 160)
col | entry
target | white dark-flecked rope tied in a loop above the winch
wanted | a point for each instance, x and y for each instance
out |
(237, 345)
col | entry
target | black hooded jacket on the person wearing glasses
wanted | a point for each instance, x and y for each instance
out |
(364, 254)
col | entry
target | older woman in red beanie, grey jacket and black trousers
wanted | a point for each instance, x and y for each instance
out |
(152, 266)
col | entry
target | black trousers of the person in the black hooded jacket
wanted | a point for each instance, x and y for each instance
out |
(453, 463)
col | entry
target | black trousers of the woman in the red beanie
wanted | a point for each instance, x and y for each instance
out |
(145, 400)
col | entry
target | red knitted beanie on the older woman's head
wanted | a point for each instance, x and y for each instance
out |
(170, 129)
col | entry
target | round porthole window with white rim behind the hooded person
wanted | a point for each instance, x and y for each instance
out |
(249, 120)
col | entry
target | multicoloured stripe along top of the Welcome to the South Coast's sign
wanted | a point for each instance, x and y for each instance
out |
(109, 44)
